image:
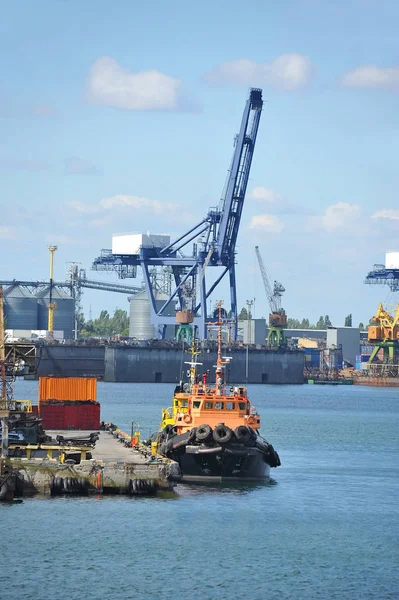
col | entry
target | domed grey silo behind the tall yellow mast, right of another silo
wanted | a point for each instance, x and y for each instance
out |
(64, 314)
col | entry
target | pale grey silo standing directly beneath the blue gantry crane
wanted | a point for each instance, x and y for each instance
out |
(140, 326)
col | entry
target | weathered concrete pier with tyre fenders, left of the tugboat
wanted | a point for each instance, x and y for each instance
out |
(114, 468)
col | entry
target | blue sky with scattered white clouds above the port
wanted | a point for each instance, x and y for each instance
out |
(120, 117)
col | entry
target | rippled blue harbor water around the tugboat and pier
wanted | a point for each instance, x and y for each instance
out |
(325, 527)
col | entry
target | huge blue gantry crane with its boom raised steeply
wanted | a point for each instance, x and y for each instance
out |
(218, 233)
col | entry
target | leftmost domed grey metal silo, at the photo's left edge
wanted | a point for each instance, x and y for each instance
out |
(20, 308)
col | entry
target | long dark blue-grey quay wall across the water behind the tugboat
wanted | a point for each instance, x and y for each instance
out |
(149, 364)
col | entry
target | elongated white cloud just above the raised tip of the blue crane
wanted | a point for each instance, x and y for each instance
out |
(287, 72)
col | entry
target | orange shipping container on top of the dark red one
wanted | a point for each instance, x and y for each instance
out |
(67, 388)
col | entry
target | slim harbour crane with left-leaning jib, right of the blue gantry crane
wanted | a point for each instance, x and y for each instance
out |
(277, 317)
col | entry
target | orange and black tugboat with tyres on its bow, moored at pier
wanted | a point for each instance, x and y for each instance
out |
(212, 431)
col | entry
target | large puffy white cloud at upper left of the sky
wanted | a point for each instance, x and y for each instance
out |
(110, 84)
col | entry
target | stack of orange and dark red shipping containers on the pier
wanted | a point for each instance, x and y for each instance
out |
(69, 403)
